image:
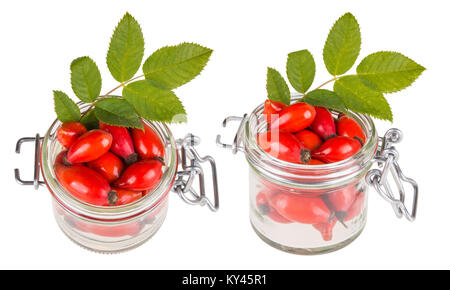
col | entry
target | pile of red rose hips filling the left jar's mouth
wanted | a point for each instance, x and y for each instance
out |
(109, 166)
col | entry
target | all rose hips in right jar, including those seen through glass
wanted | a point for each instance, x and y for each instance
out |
(304, 134)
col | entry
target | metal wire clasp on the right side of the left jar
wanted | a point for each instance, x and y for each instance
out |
(191, 164)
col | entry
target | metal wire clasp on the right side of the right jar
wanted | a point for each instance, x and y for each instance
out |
(387, 159)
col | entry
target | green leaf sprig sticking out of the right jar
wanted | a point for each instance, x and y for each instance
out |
(378, 73)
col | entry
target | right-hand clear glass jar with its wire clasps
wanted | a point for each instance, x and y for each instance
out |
(314, 209)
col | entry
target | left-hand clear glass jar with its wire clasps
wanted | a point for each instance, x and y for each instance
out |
(120, 228)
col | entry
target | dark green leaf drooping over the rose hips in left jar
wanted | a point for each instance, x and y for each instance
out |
(117, 112)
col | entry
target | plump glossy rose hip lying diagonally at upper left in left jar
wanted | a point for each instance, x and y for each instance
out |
(89, 146)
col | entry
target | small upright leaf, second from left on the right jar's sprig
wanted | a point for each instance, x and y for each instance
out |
(300, 68)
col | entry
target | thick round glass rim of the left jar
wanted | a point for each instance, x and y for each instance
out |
(50, 149)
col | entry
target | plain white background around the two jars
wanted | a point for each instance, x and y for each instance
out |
(39, 39)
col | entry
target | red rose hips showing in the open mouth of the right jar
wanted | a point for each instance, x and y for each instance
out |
(301, 133)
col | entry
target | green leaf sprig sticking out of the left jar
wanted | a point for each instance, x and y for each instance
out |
(151, 97)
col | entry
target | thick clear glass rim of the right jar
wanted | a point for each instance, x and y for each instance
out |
(302, 174)
